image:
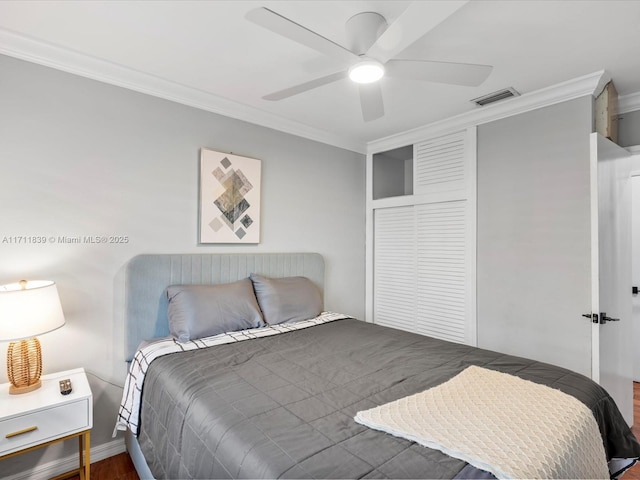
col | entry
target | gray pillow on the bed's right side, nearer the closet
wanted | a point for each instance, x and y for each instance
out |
(288, 299)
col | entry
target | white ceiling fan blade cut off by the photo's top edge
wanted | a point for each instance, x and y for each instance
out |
(412, 24)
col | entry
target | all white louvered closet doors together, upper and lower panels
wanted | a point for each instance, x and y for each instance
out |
(424, 251)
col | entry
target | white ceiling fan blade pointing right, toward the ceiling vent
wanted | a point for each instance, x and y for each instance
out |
(467, 74)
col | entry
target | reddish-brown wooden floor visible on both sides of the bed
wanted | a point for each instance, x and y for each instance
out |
(120, 466)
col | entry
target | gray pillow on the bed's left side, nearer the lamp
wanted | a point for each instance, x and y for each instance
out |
(197, 311)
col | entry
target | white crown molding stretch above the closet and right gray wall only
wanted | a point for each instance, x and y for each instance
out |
(569, 90)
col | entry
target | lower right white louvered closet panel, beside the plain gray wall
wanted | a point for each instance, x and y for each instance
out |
(441, 270)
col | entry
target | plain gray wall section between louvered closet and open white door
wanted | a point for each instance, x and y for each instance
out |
(533, 258)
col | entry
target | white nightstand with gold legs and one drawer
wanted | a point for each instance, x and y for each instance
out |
(45, 416)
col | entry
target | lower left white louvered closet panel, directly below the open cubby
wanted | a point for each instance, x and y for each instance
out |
(395, 267)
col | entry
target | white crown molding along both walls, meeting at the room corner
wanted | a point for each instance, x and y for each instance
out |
(70, 61)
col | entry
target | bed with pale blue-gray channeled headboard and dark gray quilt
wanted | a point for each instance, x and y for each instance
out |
(281, 401)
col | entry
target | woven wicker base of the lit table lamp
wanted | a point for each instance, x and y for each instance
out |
(24, 366)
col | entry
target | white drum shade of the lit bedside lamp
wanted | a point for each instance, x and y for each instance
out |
(29, 311)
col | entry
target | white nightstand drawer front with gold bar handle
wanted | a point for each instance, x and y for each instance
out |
(49, 424)
